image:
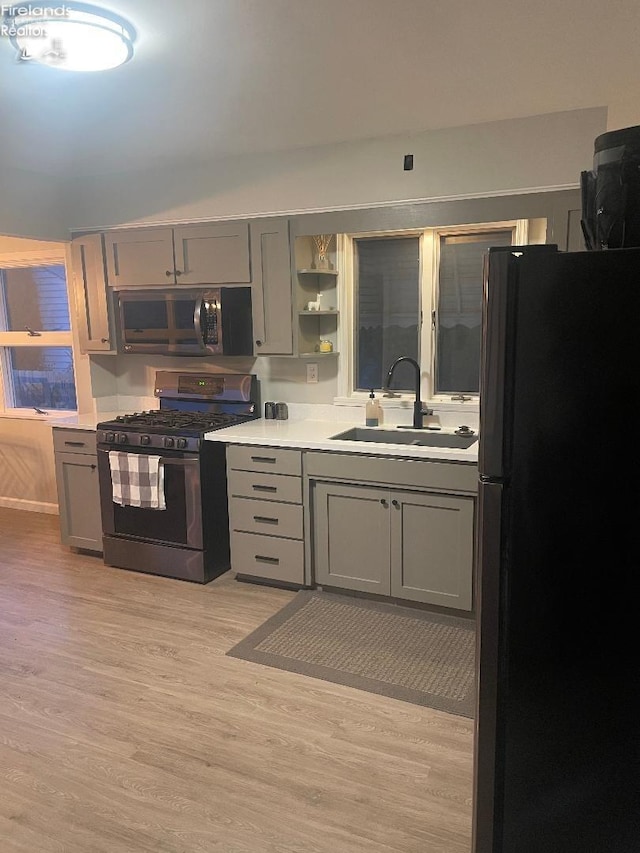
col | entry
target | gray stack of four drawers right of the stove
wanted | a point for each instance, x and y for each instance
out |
(265, 513)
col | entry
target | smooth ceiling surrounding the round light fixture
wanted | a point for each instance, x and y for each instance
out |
(211, 78)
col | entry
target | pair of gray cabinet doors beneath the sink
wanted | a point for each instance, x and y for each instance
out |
(412, 545)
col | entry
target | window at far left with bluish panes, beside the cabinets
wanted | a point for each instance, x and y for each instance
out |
(36, 356)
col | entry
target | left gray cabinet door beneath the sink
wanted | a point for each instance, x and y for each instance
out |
(351, 541)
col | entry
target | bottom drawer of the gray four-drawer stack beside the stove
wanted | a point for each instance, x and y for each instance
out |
(267, 557)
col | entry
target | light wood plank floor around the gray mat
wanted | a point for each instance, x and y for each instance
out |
(125, 728)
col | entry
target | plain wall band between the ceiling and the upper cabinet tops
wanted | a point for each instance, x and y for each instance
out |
(493, 158)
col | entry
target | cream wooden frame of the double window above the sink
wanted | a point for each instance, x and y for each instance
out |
(428, 302)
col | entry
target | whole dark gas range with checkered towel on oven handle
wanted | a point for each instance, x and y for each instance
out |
(185, 534)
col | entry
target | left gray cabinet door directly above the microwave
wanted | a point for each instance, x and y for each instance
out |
(140, 256)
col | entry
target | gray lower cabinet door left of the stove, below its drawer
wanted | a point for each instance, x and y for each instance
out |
(79, 500)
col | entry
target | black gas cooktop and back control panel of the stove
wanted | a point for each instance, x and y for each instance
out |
(190, 406)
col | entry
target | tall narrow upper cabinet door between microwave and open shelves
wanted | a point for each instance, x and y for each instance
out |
(271, 288)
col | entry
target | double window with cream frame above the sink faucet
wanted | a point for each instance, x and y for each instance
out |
(419, 294)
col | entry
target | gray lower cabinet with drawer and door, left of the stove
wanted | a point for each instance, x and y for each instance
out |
(78, 491)
